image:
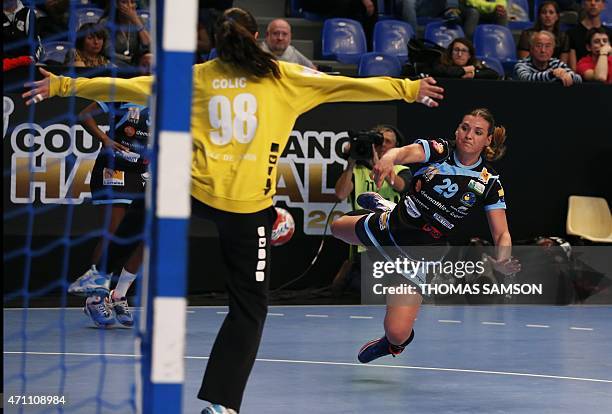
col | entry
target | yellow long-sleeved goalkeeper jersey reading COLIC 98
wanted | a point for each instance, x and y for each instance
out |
(240, 124)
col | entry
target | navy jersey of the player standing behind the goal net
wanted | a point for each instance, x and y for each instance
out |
(131, 125)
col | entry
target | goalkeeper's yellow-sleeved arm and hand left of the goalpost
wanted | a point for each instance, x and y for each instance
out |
(105, 89)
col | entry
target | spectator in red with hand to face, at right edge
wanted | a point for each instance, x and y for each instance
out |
(598, 65)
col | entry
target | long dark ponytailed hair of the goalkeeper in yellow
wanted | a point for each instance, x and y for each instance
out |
(236, 44)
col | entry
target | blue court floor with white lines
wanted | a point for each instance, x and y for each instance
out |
(528, 359)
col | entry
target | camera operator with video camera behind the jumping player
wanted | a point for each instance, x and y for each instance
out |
(355, 179)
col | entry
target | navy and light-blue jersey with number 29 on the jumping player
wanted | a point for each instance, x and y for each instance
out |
(443, 192)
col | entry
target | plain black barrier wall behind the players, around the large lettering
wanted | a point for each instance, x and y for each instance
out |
(559, 143)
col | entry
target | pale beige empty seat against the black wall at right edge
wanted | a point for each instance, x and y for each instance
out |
(589, 218)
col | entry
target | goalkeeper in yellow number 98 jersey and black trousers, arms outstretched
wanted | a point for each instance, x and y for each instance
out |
(244, 106)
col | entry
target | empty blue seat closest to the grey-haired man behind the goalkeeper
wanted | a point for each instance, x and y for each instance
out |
(343, 40)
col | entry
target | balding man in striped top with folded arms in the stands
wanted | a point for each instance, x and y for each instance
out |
(540, 66)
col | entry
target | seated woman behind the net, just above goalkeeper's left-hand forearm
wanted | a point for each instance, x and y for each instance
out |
(90, 46)
